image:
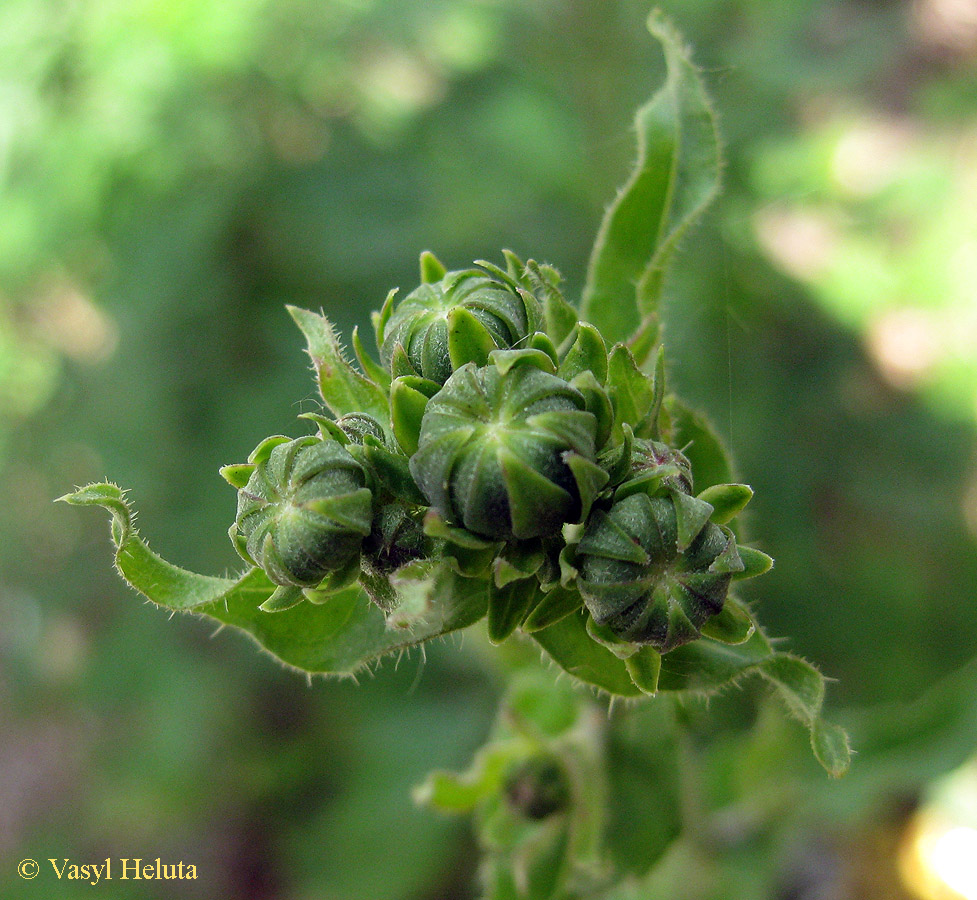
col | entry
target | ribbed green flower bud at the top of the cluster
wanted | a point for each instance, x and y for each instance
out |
(459, 319)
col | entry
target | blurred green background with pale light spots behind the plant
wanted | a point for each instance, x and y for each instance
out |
(173, 171)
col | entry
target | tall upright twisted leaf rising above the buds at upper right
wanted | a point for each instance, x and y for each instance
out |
(675, 177)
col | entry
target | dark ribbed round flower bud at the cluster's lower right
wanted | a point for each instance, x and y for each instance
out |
(653, 569)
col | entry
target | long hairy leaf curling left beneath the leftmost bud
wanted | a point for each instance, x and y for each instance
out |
(339, 636)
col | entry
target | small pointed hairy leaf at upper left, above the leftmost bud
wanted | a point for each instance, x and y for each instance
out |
(343, 389)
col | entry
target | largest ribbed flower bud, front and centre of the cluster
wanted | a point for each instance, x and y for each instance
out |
(506, 450)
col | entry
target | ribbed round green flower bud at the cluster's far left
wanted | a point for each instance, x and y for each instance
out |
(304, 512)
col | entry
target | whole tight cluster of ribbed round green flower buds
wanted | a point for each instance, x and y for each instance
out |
(520, 452)
